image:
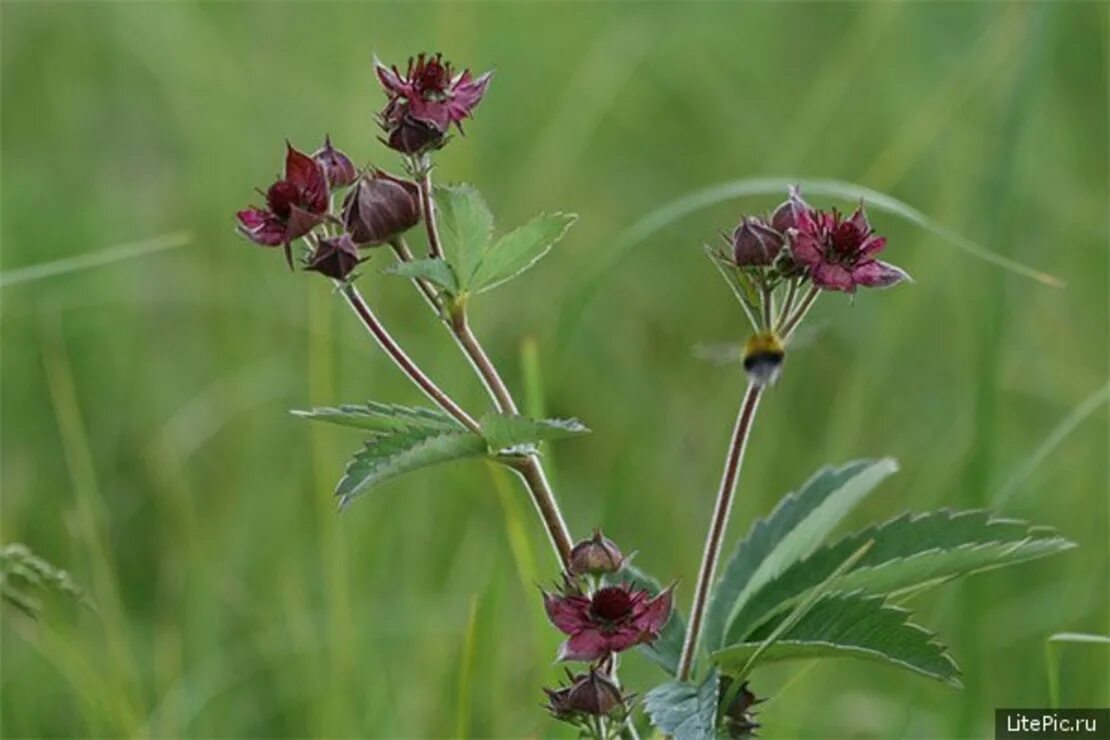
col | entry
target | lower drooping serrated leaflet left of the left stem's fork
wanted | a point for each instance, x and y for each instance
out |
(403, 451)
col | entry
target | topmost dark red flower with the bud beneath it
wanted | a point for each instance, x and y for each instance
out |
(426, 102)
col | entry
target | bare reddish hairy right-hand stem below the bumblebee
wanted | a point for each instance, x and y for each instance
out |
(718, 528)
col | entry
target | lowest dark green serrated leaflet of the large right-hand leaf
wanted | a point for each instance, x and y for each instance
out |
(851, 625)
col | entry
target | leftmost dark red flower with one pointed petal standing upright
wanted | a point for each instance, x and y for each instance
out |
(296, 206)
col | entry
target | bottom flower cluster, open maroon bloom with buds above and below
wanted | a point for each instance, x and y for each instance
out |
(600, 622)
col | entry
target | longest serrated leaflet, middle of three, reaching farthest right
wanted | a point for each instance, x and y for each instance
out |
(909, 553)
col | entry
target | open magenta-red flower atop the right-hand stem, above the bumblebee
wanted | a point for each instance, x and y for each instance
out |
(841, 252)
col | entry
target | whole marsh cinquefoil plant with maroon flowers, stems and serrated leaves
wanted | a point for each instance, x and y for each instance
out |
(785, 593)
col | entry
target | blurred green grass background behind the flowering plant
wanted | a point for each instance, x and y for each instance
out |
(147, 447)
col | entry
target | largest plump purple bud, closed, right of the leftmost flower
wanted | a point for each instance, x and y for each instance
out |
(381, 208)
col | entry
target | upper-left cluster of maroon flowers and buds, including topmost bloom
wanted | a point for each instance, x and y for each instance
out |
(378, 207)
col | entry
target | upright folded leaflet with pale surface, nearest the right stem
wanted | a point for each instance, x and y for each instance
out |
(795, 529)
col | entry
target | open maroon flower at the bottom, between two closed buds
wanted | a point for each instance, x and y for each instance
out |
(613, 620)
